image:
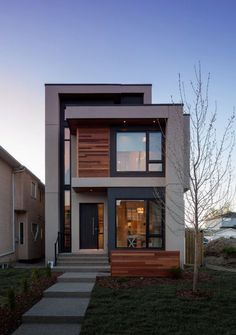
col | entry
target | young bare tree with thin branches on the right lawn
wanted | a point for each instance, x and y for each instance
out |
(210, 161)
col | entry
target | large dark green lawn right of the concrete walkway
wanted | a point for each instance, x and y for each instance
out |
(156, 309)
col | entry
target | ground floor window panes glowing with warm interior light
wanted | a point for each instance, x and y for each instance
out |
(139, 224)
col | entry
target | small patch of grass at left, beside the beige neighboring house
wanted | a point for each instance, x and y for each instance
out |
(13, 278)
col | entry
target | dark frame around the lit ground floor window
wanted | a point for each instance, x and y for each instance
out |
(162, 235)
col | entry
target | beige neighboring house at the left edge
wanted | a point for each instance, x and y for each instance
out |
(21, 211)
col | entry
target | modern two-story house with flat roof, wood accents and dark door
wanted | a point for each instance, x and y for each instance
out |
(116, 169)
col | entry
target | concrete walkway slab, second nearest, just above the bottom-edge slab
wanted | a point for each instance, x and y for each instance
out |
(57, 310)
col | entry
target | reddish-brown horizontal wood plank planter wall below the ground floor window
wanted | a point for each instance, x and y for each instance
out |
(145, 263)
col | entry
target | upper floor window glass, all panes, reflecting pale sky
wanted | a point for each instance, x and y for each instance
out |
(139, 151)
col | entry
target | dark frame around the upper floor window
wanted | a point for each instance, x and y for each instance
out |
(113, 152)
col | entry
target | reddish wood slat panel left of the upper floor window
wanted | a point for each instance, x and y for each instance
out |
(93, 152)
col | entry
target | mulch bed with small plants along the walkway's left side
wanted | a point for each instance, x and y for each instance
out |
(11, 319)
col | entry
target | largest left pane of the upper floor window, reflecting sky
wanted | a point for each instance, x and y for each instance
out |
(131, 151)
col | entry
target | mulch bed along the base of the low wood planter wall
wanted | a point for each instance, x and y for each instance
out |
(137, 282)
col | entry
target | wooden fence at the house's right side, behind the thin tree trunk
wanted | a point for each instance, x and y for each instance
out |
(190, 245)
